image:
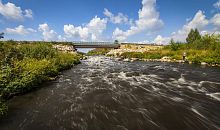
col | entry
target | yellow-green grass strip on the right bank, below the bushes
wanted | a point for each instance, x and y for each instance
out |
(195, 56)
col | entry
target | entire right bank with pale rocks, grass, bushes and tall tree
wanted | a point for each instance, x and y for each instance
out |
(204, 50)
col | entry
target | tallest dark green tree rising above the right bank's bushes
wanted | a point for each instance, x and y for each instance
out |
(193, 36)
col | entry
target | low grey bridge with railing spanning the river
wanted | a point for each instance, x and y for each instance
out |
(95, 45)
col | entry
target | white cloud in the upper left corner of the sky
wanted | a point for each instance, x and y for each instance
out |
(11, 11)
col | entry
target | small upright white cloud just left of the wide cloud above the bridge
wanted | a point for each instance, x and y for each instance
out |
(48, 34)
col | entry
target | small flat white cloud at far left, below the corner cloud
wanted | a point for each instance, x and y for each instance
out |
(20, 30)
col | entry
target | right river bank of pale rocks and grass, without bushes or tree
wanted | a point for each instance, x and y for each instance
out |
(166, 54)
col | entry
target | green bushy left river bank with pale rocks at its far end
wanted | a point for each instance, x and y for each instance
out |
(24, 66)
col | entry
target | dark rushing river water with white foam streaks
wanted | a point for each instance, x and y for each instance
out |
(106, 94)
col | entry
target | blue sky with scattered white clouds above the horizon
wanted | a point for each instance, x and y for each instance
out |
(142, 21)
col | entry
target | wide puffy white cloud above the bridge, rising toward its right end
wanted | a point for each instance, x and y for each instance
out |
(91, 31)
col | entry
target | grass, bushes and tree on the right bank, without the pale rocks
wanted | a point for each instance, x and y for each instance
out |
(198, 49)
